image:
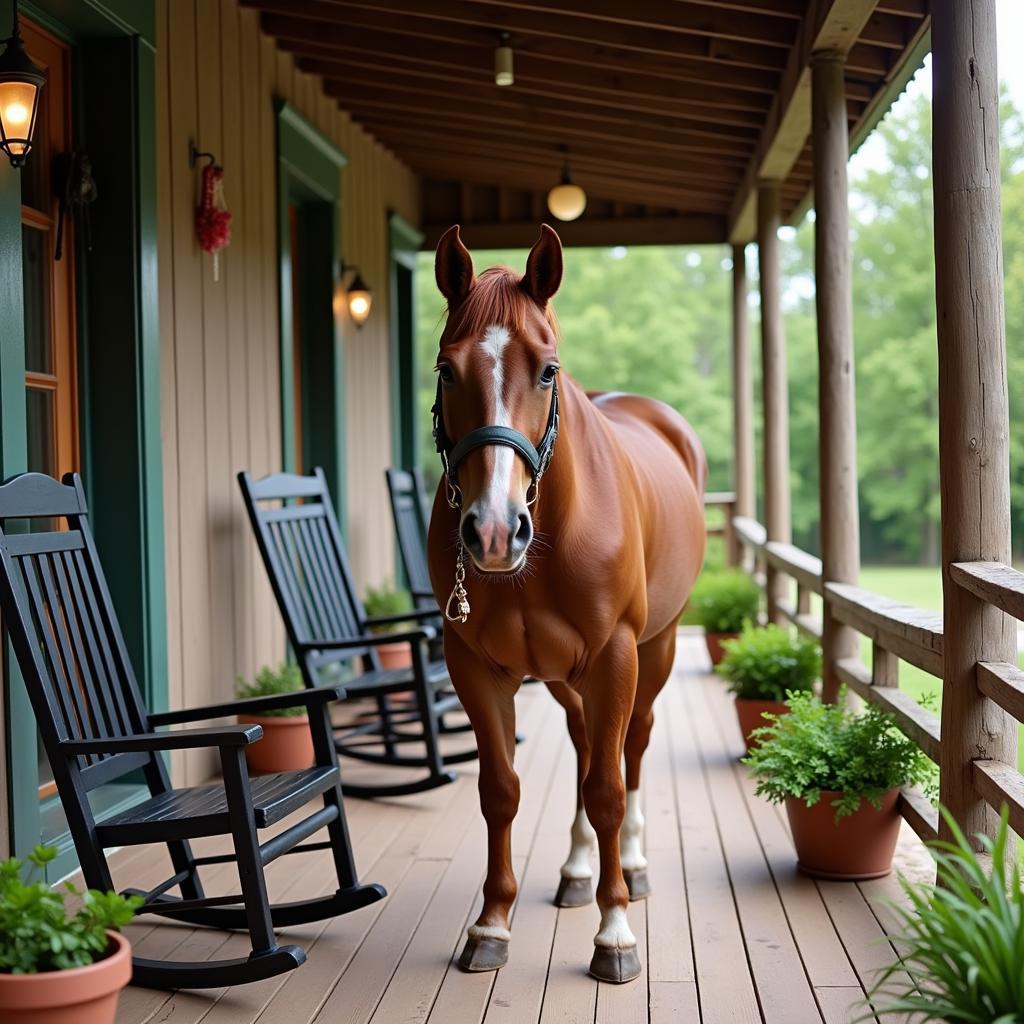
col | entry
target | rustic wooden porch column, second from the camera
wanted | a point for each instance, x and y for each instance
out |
(837, 411)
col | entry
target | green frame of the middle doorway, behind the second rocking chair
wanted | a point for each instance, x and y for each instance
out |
(310, 179)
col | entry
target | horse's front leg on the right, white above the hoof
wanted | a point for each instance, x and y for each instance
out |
(609, 691)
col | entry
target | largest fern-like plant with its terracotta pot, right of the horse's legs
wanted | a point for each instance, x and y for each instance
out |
(839, 771)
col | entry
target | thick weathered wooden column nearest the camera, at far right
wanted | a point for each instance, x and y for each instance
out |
(974, 454)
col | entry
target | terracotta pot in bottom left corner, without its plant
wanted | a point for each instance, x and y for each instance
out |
(80, 996)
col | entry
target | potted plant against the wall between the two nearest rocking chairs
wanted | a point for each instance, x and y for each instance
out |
(287, 744)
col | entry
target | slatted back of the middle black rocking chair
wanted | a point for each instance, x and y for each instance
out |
(305, 556)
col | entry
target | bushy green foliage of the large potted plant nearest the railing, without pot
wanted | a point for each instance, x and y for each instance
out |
(819, 747)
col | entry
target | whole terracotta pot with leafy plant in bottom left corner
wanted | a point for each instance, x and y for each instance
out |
(58, 967)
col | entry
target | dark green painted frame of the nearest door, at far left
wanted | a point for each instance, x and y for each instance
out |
(114, 95)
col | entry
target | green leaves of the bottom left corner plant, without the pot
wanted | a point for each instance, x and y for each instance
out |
(37, 933)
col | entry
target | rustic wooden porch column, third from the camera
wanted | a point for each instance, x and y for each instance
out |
(776, 391)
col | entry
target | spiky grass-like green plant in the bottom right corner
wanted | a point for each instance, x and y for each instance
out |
(961, 943)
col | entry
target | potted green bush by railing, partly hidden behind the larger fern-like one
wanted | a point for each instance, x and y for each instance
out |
(763, 665)
